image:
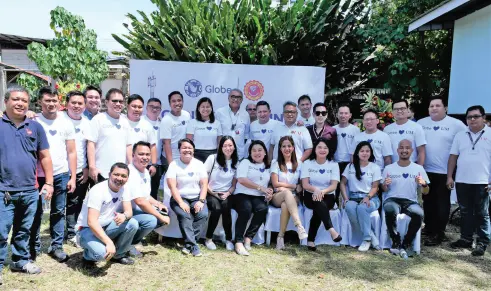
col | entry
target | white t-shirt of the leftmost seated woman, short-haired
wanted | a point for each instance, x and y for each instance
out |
(187, 177)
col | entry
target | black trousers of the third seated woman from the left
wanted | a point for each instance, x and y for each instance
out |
(246, 206)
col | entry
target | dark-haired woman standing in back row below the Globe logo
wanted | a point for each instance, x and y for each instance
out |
(205, 130)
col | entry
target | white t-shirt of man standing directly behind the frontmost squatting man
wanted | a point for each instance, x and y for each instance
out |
(111, 136)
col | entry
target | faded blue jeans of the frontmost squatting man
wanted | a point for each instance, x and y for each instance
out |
(121, 235)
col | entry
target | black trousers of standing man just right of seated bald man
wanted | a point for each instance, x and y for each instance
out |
(436, 204)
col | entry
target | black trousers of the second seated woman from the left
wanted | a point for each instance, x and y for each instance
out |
(217, 208)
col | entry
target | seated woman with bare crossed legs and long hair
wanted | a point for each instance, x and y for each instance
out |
(285, 177)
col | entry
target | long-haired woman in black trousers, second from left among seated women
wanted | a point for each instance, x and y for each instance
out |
(221, 170)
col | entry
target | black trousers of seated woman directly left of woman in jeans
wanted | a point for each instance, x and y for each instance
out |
(321, 213)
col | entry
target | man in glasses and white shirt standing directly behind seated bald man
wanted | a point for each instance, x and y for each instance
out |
(404, 128)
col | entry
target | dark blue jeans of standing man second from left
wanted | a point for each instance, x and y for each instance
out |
(56, 216)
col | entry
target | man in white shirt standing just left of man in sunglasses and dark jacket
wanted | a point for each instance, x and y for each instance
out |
(300, 134)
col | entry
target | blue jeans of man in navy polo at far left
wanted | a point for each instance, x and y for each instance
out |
(19, 213)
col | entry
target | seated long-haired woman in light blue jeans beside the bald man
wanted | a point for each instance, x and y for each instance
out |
(362, 177)
